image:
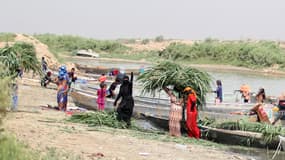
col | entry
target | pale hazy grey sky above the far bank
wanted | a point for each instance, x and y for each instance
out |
(112, 19)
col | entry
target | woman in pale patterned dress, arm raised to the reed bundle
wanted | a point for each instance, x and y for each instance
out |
(175, 114)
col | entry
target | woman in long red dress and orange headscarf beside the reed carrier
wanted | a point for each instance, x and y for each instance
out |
(192, 113)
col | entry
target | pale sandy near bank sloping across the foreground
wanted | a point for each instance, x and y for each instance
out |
(42, 128)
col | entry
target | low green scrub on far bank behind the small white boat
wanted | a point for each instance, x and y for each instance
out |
(68, 43)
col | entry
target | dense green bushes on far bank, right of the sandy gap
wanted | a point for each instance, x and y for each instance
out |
(240, 53)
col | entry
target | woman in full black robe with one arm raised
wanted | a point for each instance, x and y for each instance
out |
(125, 108)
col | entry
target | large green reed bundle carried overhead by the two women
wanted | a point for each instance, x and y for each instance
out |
(169, 73)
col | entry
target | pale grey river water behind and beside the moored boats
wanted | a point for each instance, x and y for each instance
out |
(273, 85)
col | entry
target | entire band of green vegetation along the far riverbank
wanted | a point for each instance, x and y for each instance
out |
(250, 54)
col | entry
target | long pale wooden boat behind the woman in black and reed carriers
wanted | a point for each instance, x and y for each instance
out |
(155, 107)
